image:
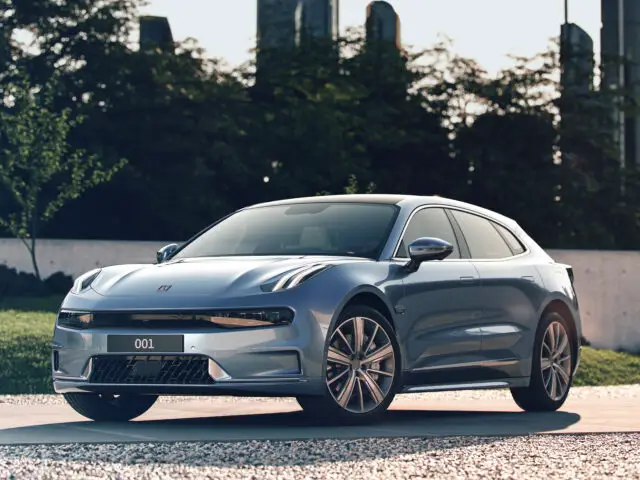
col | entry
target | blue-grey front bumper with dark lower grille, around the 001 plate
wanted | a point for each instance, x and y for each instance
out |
(271, 361)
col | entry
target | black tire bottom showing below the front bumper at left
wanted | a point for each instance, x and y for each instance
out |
(110, 408)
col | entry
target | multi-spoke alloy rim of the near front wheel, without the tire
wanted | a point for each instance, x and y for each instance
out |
(361, 365)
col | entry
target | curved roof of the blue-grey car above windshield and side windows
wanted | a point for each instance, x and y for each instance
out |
(404, 201)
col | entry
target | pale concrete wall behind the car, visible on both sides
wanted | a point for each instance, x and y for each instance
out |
(606, 282)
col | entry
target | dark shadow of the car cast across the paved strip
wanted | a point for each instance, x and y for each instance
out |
(295, 426)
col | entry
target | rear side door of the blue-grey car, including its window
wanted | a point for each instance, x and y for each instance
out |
(511, 292)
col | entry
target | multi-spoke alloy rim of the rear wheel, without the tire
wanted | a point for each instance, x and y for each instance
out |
(555, 361)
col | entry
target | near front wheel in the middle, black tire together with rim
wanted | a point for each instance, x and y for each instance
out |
(366, 402)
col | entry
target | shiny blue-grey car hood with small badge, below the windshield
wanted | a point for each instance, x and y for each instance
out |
(220, 276)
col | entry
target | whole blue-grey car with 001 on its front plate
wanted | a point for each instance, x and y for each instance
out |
(340, 301)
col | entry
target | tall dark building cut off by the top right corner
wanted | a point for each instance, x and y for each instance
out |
(620, 38)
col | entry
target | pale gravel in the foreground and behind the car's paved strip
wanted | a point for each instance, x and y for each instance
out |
(537, 456)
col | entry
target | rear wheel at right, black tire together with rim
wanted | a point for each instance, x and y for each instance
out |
(539, 396)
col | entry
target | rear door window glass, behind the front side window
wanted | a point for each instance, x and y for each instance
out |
(483, 240)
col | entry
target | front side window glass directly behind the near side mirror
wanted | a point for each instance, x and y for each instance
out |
(429, 222)
